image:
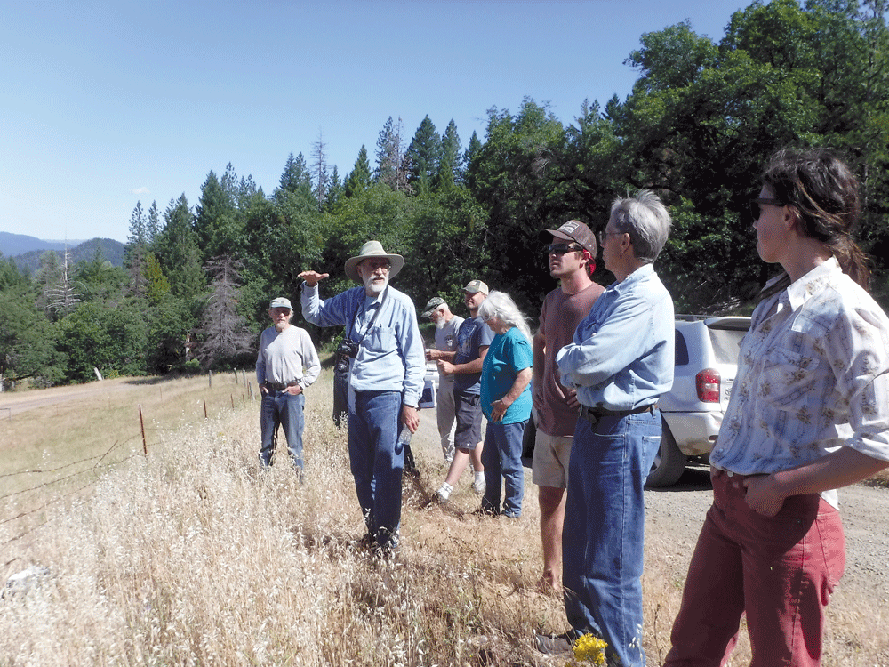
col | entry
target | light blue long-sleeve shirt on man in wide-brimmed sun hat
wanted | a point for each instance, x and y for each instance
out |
(390, 357)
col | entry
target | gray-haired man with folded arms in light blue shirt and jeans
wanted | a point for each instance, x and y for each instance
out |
(619, 363)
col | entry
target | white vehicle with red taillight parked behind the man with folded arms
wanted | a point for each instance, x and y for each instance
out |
(707, 351)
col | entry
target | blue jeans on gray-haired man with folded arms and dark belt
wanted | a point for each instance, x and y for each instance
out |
(604, 532)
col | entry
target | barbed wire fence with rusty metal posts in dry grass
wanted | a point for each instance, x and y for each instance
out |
(92, 467)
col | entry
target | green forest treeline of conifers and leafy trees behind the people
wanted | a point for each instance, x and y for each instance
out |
(701, 120)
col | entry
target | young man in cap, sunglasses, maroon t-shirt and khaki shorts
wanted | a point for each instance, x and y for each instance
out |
(572, 259)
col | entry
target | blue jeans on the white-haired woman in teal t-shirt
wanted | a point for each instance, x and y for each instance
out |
(502, 457)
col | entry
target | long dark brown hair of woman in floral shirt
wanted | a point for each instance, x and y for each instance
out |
(825, 195)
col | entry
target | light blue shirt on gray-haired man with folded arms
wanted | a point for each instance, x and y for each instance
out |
(622, 355)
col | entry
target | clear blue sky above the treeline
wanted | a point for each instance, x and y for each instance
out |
(108, 103)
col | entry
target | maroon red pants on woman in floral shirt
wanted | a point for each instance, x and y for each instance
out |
(779, 570)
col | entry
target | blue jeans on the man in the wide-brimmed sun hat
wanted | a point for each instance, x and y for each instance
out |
(377, 462)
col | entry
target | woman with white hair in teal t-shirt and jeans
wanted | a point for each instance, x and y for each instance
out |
(506, 402)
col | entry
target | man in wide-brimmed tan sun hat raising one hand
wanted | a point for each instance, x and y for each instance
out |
(386, 370)
